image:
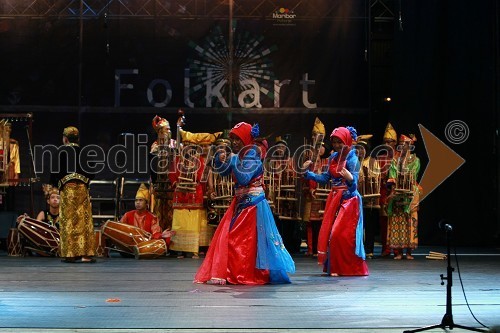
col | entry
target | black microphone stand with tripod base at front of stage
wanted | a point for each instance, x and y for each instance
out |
(447, 320)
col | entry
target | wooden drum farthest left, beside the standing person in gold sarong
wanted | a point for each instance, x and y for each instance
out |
(40, 234)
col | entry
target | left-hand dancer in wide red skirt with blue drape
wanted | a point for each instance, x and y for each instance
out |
(247, 247)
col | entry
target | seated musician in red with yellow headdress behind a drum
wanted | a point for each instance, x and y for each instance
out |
(143, 219)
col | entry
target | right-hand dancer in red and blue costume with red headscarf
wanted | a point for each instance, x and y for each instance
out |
(340, 240)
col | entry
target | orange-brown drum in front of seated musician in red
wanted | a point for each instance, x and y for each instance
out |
(124, 236)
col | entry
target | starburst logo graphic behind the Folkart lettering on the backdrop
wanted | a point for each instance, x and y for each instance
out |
(211, 72)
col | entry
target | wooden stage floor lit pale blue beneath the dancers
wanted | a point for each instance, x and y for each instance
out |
(126, 295)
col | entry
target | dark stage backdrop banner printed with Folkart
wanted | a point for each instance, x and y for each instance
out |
(289, 54)
